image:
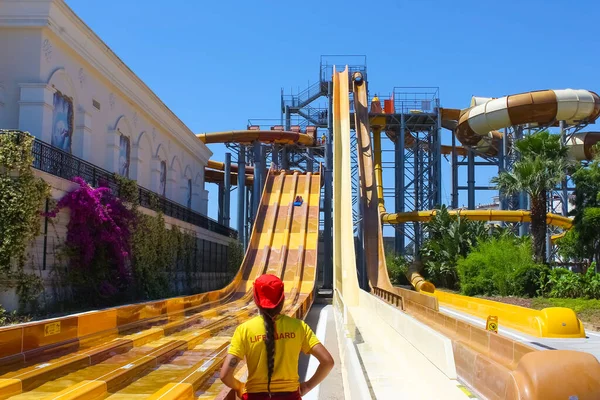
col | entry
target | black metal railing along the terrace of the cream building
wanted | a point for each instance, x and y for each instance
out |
(56, 162)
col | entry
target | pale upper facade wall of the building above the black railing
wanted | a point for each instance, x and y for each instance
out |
(46, 49)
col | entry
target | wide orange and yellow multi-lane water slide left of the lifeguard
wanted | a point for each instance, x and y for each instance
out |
(169, 349)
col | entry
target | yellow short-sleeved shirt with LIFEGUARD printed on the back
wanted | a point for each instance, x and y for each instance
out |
(291, 336)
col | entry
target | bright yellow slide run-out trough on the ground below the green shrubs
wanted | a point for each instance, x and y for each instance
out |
(554, 322)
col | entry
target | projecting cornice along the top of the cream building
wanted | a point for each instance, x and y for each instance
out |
(54, 15)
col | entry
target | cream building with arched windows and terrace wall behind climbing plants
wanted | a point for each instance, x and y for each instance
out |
(92, 116)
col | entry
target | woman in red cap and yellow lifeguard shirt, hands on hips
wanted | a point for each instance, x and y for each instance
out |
(271, 343)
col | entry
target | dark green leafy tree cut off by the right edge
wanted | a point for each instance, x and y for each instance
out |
(583, 240)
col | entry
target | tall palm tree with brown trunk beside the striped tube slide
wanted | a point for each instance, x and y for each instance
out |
(541, 168)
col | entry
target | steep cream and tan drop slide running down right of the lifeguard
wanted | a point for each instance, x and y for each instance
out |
(496, 367)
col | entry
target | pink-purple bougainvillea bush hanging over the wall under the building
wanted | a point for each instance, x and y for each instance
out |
(99, 237)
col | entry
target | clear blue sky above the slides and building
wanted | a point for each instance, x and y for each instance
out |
(218, 64)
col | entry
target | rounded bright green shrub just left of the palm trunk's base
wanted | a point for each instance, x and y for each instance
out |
(500, 266)
